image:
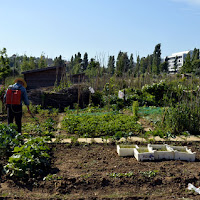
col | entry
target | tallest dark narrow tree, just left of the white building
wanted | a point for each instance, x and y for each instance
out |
(156, 59)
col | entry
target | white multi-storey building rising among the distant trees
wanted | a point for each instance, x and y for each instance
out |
(181, 58)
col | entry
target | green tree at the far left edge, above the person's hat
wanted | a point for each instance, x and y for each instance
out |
(4, 65)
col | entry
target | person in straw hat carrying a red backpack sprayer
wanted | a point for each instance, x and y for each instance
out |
(13, 98)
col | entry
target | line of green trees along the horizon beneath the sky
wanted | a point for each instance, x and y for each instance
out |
(123, 64)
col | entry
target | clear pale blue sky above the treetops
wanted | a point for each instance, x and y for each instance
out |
(101, 28)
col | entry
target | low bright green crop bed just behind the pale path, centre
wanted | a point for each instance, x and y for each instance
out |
(107, 124)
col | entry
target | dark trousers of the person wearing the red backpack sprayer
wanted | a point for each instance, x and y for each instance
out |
(15, 112)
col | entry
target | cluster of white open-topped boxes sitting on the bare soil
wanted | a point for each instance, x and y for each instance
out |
(157, 152)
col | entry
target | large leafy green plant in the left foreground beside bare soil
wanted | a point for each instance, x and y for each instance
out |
(30, 159)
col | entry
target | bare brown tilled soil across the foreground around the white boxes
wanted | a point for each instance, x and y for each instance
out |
(83, 171)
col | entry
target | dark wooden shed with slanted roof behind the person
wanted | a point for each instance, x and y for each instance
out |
(44, 77)
